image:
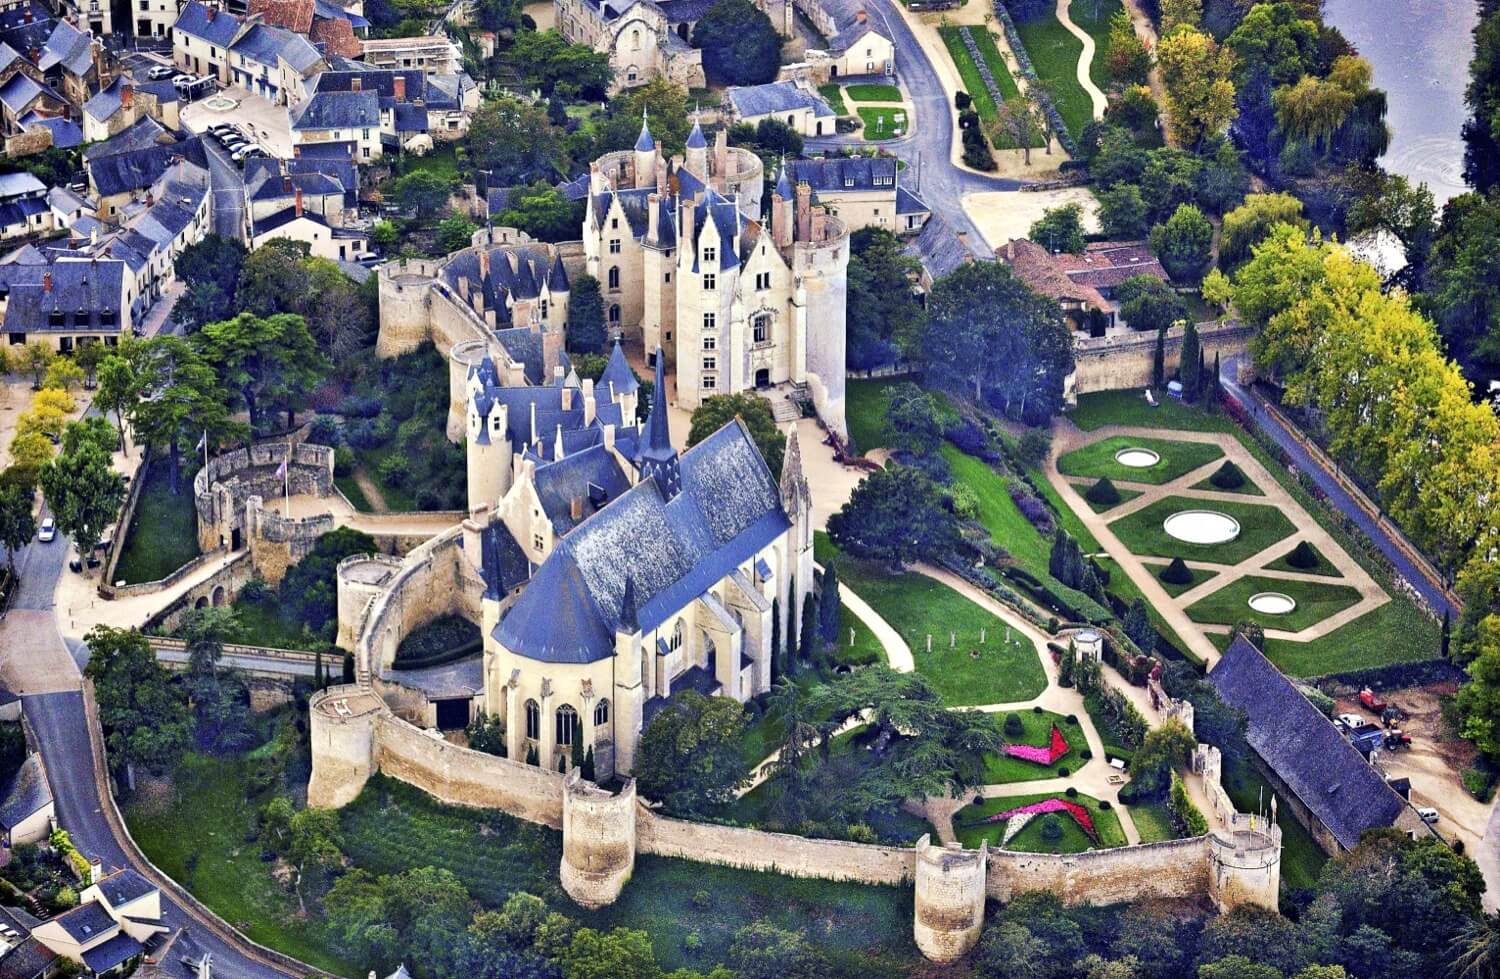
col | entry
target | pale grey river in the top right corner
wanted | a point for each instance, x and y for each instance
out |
(1421, 52)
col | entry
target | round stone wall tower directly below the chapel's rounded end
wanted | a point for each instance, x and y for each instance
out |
(599, 840)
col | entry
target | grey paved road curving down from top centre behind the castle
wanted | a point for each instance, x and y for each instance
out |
(926, 152)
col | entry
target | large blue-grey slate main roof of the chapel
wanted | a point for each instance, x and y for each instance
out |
(670, 551)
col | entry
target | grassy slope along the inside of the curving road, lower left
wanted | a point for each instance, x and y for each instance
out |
(215, 861)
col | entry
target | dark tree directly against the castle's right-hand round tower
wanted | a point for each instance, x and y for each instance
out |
(884, 316)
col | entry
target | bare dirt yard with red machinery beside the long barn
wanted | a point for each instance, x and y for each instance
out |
(1435, 762)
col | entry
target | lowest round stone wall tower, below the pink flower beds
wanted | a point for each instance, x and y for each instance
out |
(950, 899)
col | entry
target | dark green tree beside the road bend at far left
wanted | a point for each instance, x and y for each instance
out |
(145, 716)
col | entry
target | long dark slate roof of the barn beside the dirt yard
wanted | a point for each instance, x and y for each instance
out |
(1303, 747)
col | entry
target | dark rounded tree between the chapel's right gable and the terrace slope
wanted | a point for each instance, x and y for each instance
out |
(895, 515)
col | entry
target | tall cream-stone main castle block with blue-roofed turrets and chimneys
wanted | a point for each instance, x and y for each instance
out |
(740, 296)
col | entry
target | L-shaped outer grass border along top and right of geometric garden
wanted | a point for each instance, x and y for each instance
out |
(1397, 632)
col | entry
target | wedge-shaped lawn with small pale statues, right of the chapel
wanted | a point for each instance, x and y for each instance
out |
(917, 606)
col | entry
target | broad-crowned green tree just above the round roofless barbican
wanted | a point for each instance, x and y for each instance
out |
(263, 359)
